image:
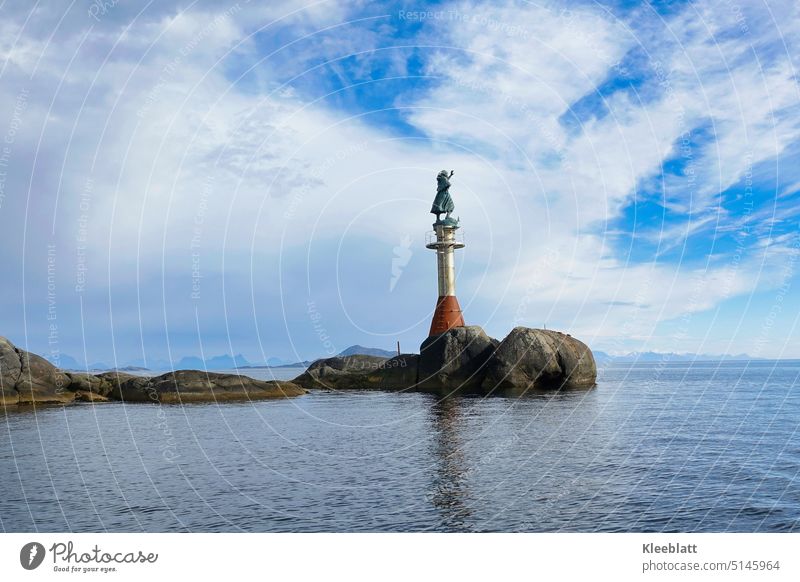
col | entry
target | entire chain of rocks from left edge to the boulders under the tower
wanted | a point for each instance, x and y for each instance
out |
(463, 360)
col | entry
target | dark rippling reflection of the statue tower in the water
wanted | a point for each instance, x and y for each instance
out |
(450, 487)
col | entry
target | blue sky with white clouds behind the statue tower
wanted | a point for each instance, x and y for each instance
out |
(201, 178)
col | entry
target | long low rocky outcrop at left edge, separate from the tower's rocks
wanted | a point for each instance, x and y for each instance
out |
(26, 378)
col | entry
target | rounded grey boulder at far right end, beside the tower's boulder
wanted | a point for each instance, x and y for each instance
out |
(541, 359)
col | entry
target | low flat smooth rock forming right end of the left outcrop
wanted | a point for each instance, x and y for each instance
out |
(199, 386)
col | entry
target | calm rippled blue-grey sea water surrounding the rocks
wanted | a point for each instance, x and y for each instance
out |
(677, 447)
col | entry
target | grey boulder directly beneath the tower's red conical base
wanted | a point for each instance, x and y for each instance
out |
(455, 360)
